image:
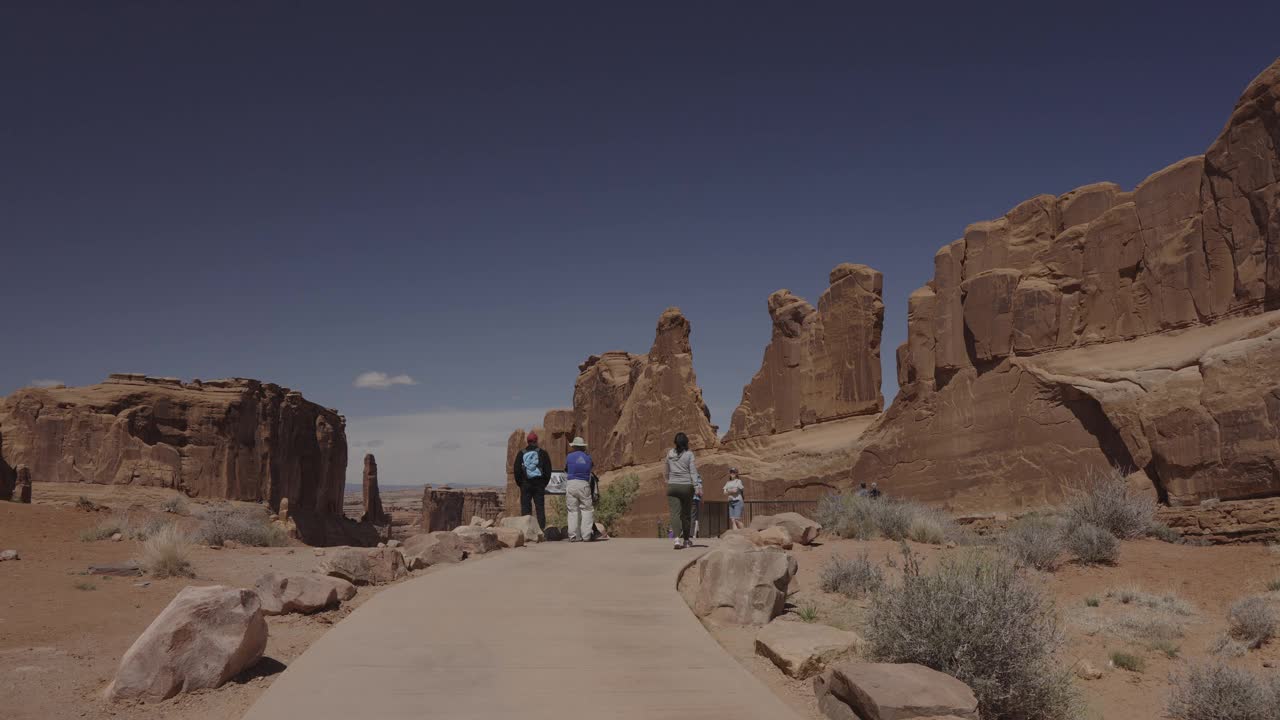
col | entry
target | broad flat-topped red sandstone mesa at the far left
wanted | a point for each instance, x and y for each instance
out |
(236, 440)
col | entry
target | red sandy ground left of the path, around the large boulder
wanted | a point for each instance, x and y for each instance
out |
(61, 646)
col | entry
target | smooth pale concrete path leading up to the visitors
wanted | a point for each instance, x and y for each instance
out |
(554, 631)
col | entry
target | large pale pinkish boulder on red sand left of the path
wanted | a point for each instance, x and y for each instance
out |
(205, 637)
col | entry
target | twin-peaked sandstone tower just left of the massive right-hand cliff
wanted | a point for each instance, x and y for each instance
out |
(820, 364)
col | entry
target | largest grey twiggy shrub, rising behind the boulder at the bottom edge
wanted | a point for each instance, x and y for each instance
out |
(984, 622)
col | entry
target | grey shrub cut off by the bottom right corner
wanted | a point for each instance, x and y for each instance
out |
(1222, 692)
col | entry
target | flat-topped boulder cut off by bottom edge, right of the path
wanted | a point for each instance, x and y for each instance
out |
(881, 691)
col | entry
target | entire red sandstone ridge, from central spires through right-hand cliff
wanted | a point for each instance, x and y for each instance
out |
(1078, 332)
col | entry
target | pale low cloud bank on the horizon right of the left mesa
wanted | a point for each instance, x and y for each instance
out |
(460, 448)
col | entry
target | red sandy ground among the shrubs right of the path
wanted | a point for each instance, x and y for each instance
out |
(1212, 578)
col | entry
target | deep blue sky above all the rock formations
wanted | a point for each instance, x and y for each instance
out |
(478, 197)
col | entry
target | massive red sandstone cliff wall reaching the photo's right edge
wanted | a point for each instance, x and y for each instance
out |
(1002, 390)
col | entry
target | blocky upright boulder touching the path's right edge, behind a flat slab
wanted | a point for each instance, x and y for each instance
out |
(742, 584)
